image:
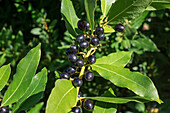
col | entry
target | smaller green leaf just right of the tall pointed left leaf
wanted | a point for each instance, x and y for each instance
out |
(37, 85)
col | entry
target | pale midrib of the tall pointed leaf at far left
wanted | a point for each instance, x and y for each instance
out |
(21, 80)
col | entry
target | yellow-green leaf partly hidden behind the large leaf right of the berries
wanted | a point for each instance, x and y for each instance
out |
(117, 59)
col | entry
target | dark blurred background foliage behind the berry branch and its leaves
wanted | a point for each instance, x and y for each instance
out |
(24, 24)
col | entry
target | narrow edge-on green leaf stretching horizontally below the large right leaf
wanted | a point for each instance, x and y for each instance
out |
(119, 100)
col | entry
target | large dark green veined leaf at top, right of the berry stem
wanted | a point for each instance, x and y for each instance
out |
(126, 9)
